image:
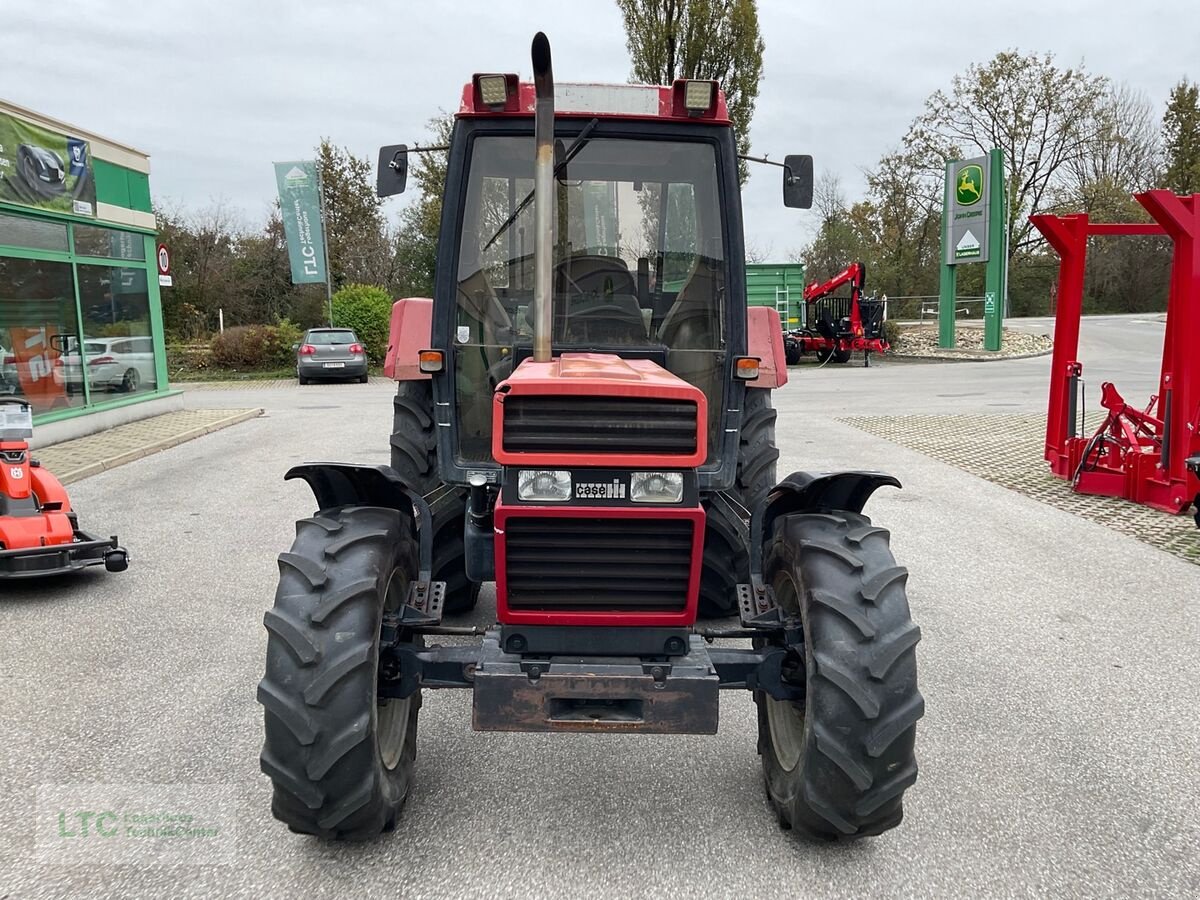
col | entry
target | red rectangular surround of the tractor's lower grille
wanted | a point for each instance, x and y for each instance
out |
(687, 616)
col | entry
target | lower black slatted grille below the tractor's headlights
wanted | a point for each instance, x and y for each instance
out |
(589, 565)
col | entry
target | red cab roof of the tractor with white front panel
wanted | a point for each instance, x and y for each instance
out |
(603, 101)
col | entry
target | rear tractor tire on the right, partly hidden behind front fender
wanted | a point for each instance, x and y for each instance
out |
(727, 562)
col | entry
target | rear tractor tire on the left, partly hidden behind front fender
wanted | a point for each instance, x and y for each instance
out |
(415, 455)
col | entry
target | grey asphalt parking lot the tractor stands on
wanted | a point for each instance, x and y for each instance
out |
(1059, 665)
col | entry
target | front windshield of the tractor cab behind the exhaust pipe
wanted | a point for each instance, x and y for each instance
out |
(639, 265)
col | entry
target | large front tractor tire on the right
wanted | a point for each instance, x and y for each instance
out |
(838, 763)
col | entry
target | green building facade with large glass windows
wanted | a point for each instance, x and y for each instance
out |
(81, 319)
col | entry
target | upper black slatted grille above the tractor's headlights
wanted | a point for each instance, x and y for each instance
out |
(541, 424)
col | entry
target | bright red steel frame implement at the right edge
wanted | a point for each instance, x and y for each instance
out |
(1139, 455)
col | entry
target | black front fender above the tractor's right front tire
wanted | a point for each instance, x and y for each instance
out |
(806, 493)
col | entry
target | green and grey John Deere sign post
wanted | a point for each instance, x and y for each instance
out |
(974, 230)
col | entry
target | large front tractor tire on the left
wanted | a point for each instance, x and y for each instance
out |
(341, 759)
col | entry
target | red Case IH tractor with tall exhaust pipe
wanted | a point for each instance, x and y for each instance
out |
(584, 418)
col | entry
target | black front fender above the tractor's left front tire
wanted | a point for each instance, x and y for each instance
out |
(343, 484)
